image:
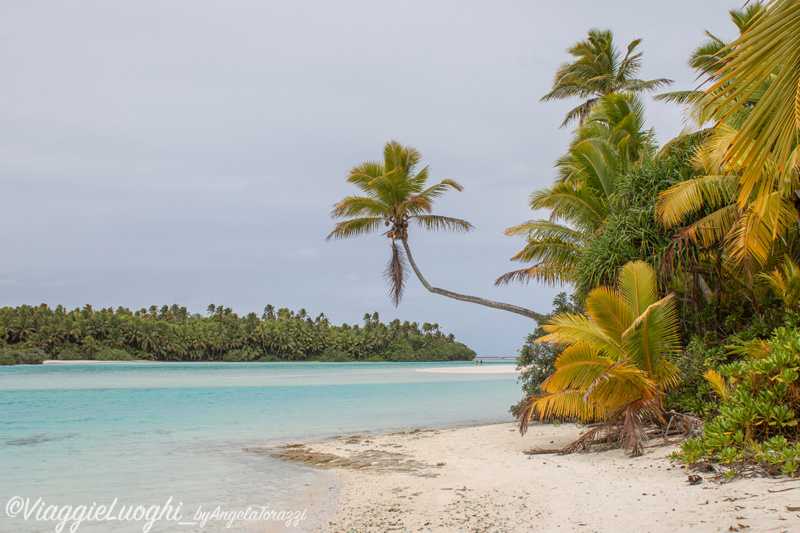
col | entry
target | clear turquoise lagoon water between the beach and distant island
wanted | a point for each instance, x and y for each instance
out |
(142, 433)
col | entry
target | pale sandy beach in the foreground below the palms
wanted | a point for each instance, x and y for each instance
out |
(477, 478)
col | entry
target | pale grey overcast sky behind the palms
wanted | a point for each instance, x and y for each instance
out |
(159, 152)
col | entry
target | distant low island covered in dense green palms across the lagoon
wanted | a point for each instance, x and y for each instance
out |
(31, 335)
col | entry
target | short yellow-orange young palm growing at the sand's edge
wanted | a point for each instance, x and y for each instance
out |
(615, 367)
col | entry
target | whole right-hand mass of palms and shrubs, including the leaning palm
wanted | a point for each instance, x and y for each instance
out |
(682, 259)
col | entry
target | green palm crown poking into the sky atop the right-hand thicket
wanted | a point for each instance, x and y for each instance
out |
(597, 70)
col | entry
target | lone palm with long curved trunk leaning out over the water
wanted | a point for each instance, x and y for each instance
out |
(395, 197)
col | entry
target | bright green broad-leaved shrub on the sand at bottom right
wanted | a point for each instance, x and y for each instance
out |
(757, 425)
